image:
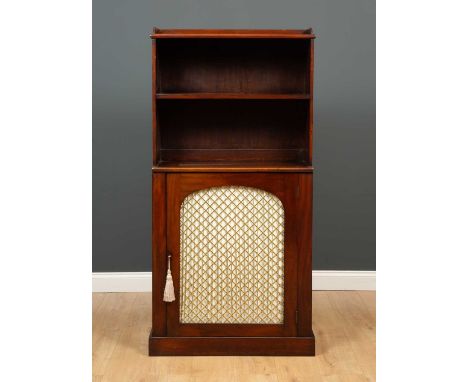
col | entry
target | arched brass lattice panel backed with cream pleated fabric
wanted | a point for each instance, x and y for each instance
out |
(232, 257)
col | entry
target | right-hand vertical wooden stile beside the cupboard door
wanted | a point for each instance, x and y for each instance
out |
(304, 245)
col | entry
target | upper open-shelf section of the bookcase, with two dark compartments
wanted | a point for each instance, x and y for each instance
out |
(214, 97)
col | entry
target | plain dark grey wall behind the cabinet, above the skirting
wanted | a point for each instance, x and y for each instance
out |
(344, 201)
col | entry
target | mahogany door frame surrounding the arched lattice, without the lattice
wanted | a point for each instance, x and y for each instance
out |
(284, 187)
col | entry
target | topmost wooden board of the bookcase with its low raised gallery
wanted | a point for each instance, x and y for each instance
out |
(233, 33)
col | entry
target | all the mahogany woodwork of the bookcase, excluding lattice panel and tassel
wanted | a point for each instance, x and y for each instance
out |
(233, 107)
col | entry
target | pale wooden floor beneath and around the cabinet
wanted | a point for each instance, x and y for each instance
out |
(343, 323)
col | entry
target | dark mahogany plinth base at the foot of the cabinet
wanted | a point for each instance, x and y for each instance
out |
(240, 346)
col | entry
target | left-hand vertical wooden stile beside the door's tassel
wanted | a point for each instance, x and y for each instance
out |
(159, 254)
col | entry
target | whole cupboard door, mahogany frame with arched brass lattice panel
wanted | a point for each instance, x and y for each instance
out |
(234, 245)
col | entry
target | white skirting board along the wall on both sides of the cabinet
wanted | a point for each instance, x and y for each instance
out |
(321, 280)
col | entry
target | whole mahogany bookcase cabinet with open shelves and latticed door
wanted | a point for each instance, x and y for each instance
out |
(232, 192)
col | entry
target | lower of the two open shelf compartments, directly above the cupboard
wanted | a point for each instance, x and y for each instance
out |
(214, 130)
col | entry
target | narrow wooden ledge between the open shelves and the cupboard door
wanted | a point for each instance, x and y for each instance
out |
(232, 166)
